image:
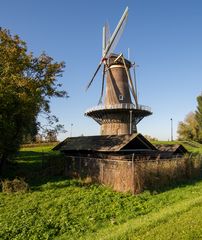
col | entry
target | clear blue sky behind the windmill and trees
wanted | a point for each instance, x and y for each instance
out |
(164, 37)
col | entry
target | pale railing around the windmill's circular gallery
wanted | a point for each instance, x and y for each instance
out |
(119, 106)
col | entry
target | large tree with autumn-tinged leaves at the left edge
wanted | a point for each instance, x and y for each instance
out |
(27, 84)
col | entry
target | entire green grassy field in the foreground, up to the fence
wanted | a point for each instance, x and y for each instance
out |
(57, 208)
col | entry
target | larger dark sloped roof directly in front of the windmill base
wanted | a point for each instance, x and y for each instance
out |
(104, 143)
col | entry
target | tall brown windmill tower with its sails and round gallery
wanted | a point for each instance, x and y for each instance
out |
(120, 113)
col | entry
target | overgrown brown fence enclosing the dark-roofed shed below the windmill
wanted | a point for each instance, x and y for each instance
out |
(134, 175)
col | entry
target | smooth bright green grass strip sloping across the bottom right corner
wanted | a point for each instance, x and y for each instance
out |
(181, 220)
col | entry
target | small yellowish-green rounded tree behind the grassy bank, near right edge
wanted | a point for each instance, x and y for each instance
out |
(189, 129)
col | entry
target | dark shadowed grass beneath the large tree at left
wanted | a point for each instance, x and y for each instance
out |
(36, 168)
